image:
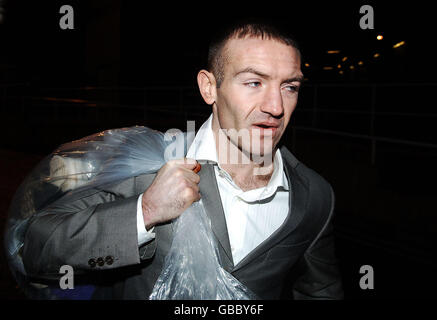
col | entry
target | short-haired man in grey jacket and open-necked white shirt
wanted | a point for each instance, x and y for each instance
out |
(271, 219)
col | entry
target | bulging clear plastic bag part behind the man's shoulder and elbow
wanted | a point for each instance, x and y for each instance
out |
(101, 158)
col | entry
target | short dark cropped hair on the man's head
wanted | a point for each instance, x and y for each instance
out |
(241, 30)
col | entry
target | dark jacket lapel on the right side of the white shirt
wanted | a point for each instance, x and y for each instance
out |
(297, 203)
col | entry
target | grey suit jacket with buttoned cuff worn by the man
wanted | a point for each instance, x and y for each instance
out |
(96, 234)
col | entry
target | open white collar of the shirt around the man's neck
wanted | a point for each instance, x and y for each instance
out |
(203, 147)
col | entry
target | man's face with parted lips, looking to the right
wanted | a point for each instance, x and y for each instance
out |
(259, 90)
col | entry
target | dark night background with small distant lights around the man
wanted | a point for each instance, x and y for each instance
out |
(370, 130)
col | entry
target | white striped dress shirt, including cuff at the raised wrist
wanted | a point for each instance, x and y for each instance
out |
(251, 216)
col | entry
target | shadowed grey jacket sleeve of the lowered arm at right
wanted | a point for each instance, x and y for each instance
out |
(321, 278)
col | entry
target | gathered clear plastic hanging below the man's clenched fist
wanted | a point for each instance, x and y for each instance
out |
(192, 269)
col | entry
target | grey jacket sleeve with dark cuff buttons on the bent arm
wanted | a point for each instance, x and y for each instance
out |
(95, 229)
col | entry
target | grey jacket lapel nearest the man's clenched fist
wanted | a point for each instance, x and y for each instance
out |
(214, 209)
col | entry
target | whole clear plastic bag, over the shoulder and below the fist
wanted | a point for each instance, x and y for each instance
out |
(192, 269)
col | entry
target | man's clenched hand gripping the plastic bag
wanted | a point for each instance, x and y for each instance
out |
(173, 190)
